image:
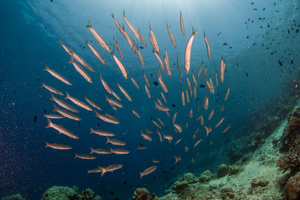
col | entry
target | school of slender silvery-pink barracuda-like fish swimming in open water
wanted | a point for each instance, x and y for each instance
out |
(173, 134)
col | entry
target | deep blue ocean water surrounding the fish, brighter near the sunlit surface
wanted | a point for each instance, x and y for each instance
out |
(252, 36)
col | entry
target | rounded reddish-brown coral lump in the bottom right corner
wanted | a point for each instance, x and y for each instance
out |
(292, 188)
